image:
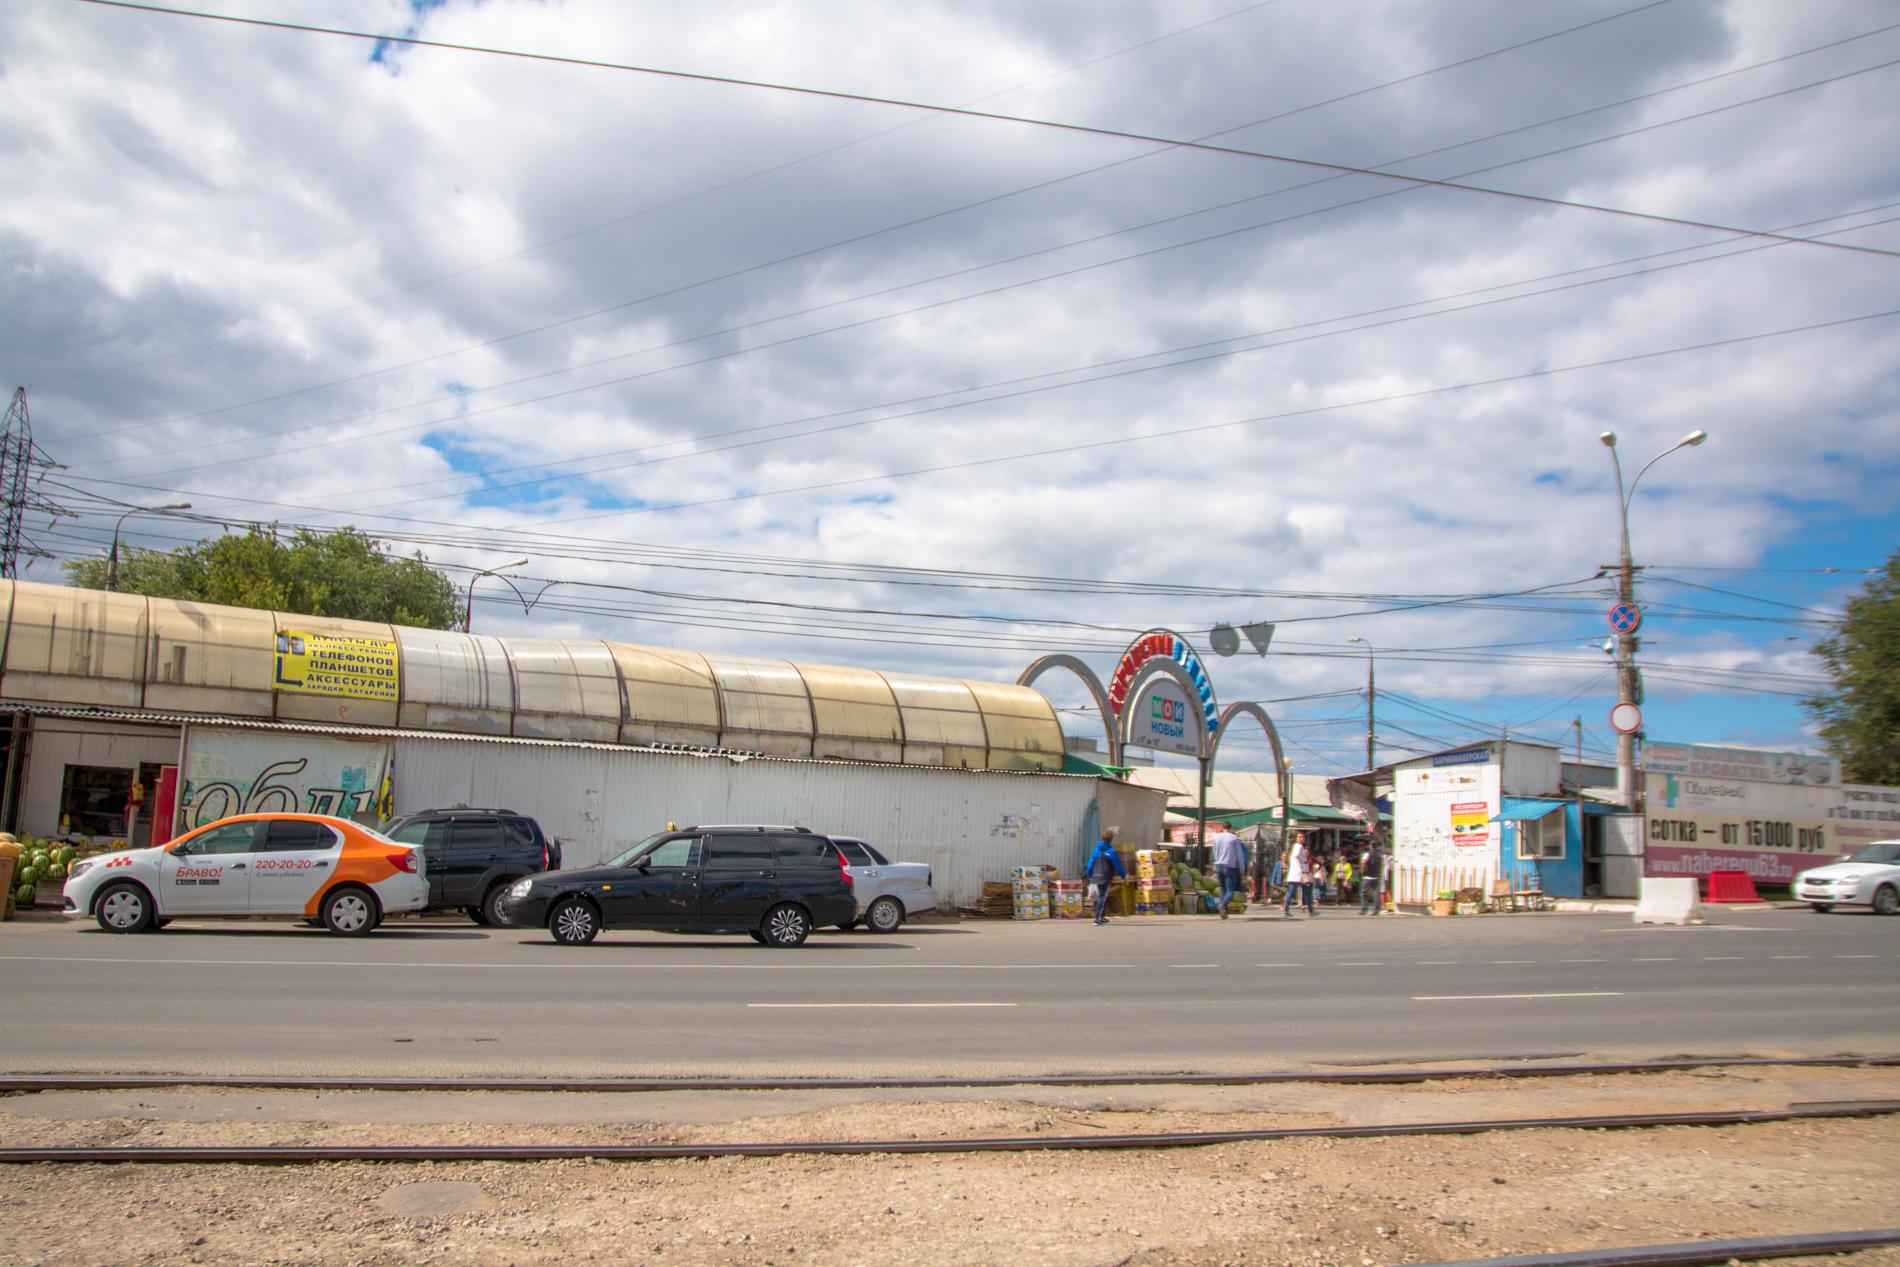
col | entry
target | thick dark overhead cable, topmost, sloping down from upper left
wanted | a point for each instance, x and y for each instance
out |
(997, 117)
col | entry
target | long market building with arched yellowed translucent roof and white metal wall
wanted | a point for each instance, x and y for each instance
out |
(138, 717)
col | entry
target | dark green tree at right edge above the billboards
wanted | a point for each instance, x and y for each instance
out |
(1861, 717)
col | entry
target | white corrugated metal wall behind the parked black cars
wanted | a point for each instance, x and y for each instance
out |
(966, 825)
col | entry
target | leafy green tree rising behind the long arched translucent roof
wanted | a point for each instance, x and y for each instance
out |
(345, 575)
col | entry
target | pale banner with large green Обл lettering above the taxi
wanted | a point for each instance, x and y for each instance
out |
(259, 772)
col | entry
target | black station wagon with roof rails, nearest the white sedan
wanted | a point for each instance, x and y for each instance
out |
(770, 882)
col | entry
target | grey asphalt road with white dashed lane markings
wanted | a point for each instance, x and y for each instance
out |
(1190, 994)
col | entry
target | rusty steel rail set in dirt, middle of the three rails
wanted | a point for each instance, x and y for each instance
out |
(267, 1156)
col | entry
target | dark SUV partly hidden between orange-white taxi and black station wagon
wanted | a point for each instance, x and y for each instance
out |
(474, 856)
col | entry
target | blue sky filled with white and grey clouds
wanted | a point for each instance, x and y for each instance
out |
(854, 383)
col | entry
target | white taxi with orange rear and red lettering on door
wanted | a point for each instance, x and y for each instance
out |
(303, 865)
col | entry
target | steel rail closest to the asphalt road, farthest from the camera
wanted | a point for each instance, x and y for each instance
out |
(269, 1082)
